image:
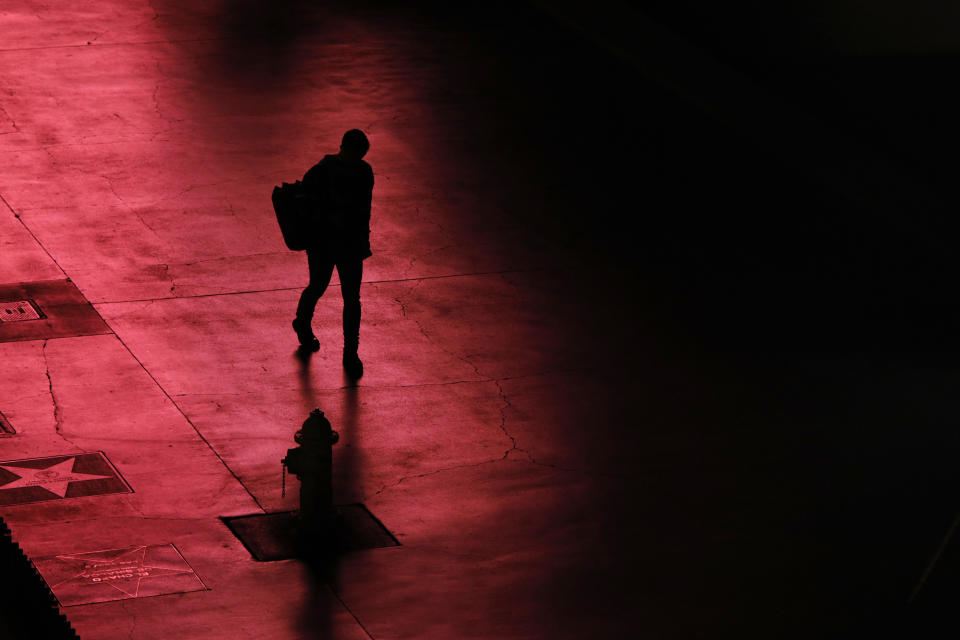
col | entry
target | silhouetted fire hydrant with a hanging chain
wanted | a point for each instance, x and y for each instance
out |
(312, 463)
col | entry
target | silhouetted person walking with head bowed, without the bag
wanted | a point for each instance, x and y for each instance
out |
(341, 186)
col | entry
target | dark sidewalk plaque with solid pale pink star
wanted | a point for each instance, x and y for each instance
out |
(58, 477)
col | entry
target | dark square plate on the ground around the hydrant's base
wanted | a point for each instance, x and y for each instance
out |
(273, 536)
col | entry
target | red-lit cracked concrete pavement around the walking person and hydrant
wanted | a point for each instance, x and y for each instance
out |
(140, 164)
